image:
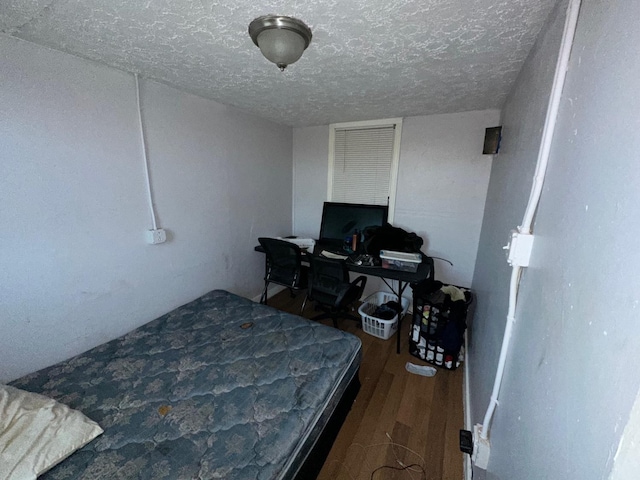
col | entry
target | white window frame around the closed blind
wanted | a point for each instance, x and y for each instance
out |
(395, 161)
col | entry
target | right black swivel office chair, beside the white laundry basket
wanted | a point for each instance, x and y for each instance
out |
(331, 290)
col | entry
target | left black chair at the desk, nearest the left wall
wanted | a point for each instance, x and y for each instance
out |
(283, 266)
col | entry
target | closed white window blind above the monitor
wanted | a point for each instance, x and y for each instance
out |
(362, 165)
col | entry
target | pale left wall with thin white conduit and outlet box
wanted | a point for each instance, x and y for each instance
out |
(75, 270)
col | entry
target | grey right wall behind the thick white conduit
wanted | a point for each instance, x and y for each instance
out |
(571, 377)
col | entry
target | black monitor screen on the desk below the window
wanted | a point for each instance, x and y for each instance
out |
(341, 220)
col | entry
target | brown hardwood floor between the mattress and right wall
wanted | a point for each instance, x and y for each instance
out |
(397, 416)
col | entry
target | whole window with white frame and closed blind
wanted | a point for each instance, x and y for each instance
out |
(363, 162)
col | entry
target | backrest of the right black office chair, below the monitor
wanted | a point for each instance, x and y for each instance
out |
(329, 280)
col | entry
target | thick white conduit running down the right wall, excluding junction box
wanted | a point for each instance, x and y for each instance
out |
(534, 198)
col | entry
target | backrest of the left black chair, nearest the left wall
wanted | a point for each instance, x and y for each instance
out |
(283, 261)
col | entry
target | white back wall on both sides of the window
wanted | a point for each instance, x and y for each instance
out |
(442, 184)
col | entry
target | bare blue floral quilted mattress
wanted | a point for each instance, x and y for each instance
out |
(221, 387)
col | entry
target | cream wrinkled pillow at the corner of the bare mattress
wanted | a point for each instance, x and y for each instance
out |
(37, 433)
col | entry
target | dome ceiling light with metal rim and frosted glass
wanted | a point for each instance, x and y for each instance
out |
(280, 39)
